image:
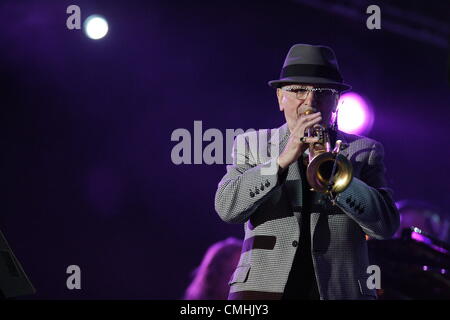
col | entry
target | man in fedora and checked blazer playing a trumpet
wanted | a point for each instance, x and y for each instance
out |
(305, 223)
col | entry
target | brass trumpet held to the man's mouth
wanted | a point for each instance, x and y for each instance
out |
(327, 171)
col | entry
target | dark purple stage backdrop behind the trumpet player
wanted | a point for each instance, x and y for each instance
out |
(87, 177)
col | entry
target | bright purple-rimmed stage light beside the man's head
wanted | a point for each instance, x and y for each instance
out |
(354, 114)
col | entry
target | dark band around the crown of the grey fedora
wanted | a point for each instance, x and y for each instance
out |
(310, 70)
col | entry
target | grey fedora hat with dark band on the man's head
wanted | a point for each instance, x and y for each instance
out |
(310, 64)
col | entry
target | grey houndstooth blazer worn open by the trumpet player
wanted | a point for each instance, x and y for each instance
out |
(269, 204)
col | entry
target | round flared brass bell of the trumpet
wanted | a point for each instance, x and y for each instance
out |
(320, 168)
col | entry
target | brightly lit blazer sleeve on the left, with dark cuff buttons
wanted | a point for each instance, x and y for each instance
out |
(246, 183)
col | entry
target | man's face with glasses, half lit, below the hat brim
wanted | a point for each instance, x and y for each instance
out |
(294, 108)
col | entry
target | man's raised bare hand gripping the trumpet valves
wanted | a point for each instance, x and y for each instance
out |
(295, 147)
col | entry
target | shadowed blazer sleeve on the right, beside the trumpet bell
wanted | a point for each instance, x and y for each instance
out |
(368, 201)
